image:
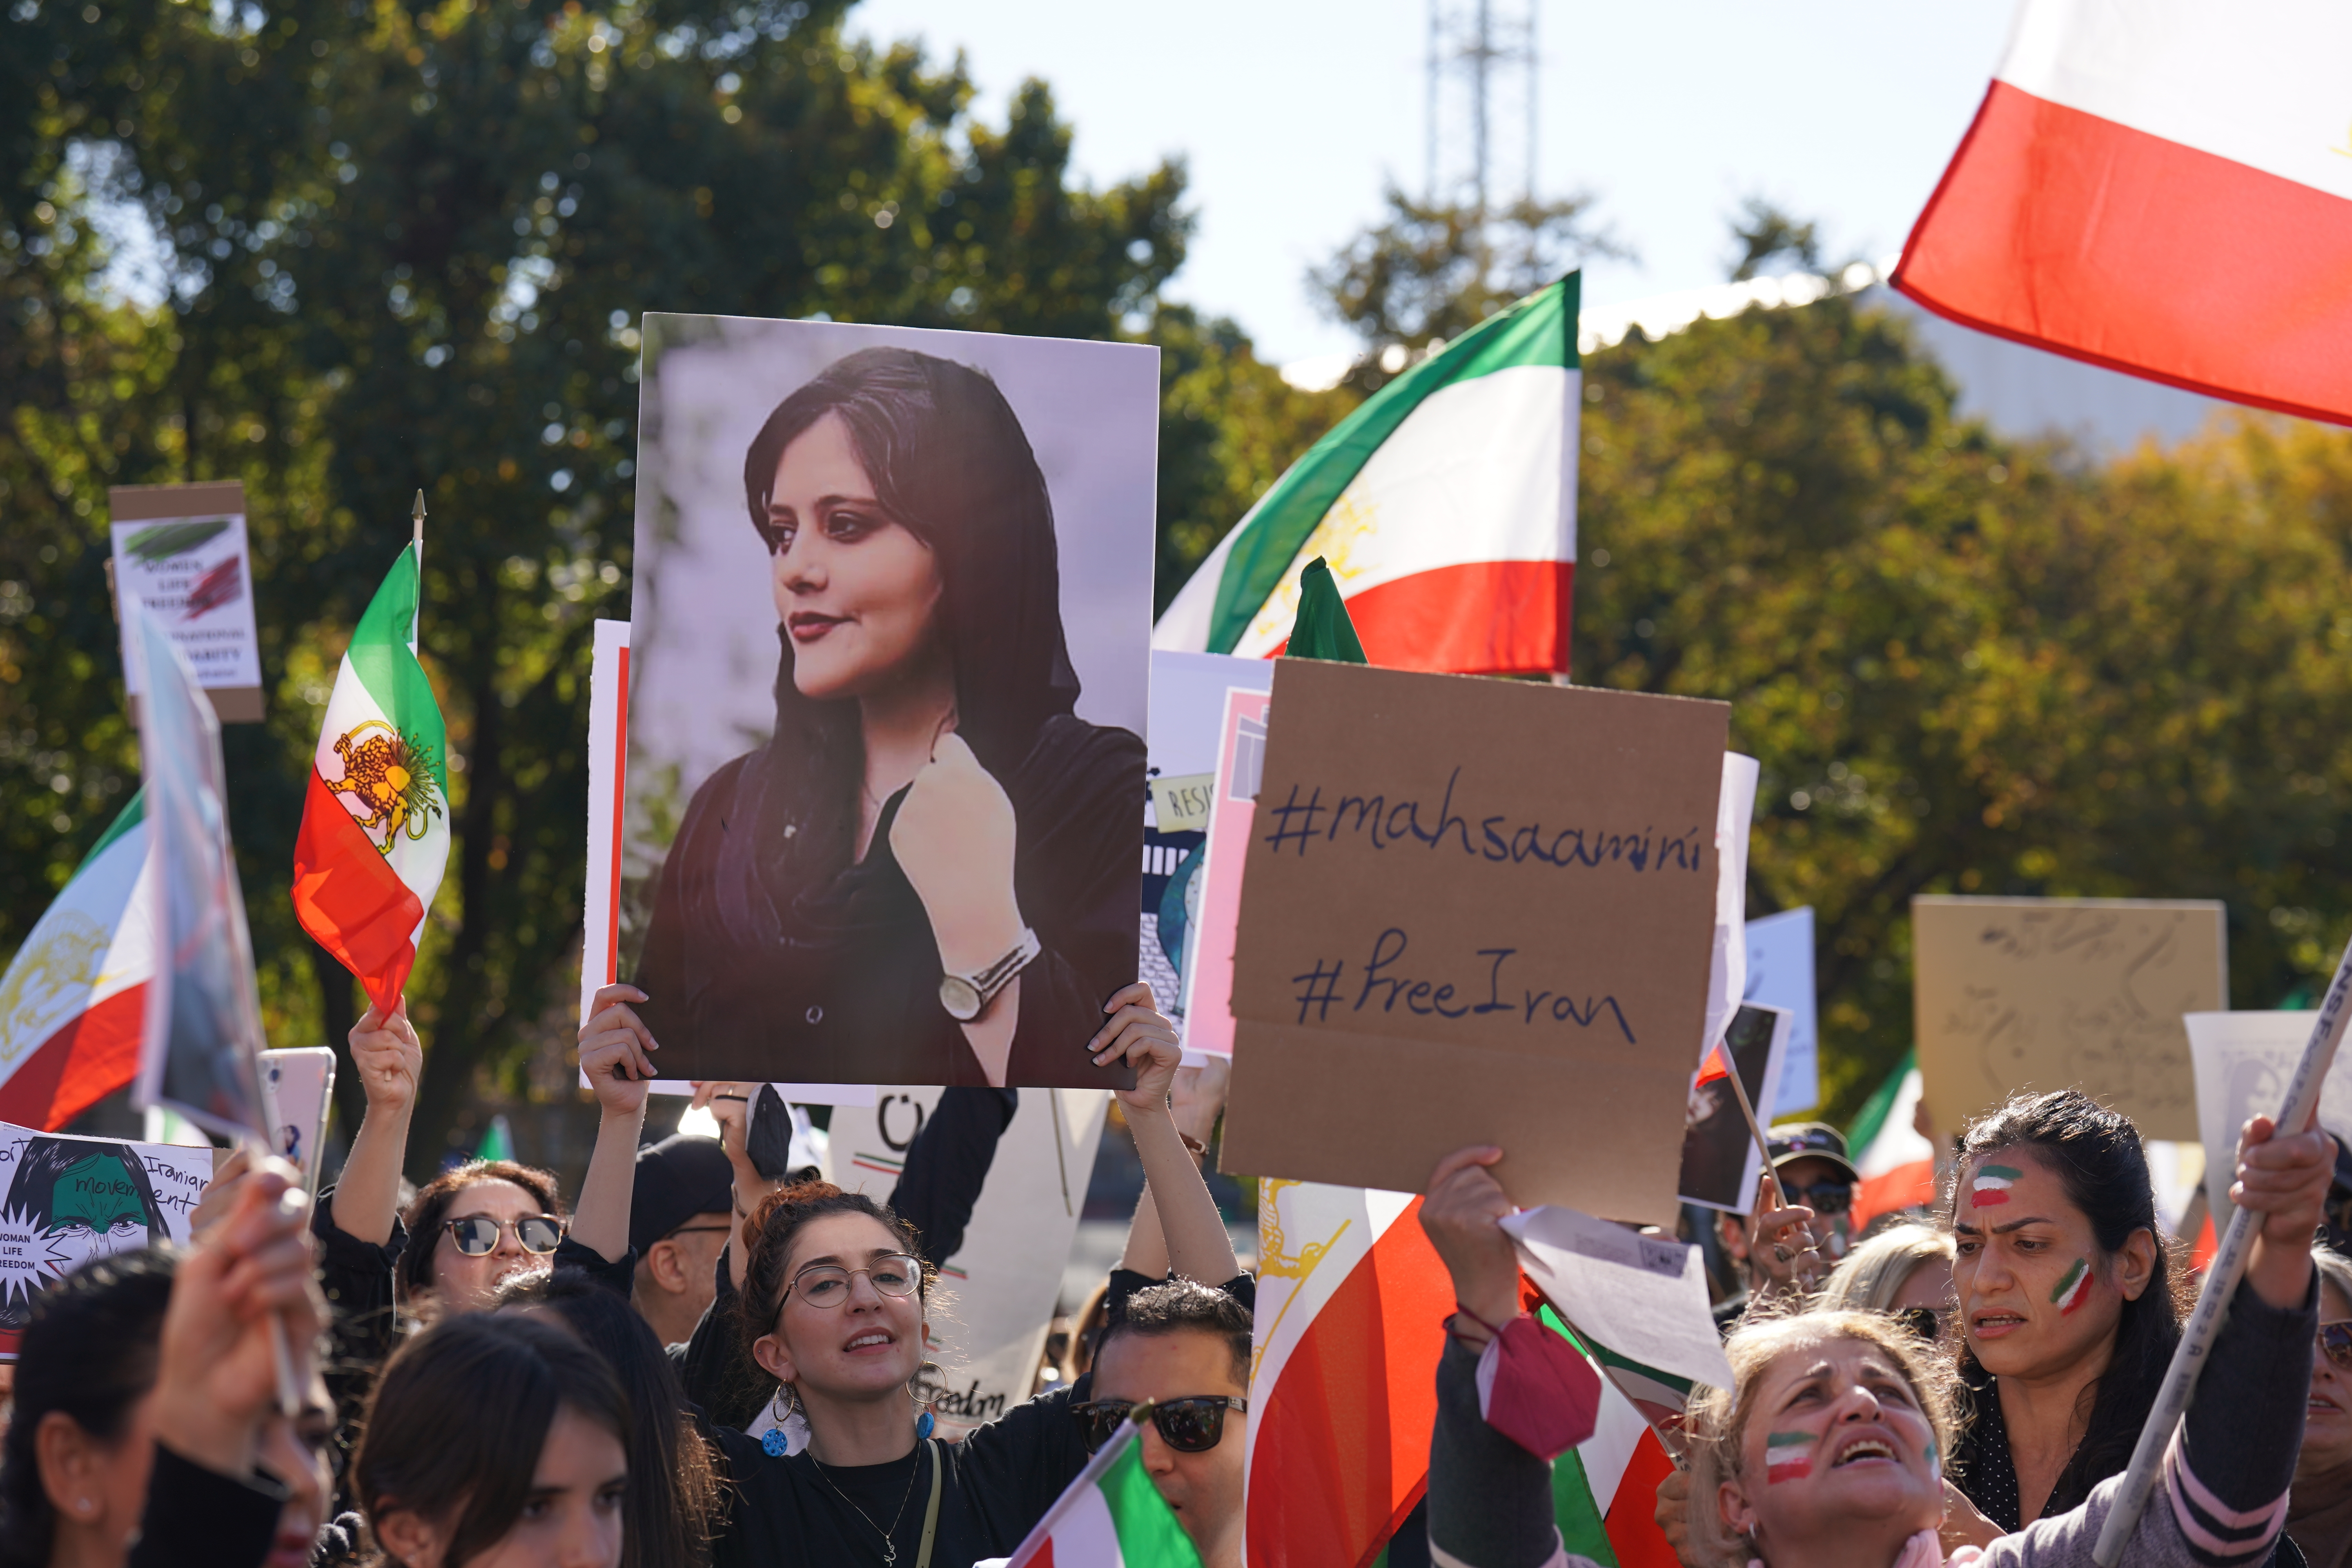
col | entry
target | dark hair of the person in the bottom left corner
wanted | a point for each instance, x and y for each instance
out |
(88, 1353)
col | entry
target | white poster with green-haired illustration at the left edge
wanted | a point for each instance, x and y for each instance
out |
(72, 1200)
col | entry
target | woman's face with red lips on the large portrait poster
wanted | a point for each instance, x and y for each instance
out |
(855, 589)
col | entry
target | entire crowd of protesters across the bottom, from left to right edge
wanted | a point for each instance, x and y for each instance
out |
(702, 1365)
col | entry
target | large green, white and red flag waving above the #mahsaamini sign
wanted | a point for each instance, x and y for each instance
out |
(1445, 509)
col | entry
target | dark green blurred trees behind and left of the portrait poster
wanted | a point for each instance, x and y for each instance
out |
(406, 246)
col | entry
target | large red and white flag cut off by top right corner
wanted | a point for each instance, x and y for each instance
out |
(2163, 189)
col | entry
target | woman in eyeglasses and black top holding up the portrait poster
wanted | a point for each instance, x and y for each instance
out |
(827, 1299)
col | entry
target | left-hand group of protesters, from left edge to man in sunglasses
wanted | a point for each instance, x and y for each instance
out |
(693, 1365)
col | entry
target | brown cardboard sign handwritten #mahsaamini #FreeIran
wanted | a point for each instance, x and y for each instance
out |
(1577, 1050)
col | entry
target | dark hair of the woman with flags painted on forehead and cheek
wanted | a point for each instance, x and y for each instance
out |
(2104, 1170)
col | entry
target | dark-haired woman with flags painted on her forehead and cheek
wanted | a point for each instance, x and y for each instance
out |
(2069, 1304)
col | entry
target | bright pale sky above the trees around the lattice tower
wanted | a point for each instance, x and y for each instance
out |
(1671, 112)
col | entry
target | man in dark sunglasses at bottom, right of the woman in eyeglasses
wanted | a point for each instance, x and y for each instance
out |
(1187, 1348)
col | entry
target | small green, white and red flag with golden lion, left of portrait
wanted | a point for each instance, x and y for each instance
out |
(375, 829)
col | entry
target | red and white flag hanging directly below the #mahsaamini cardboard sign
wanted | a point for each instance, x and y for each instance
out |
(1344, 1372)
